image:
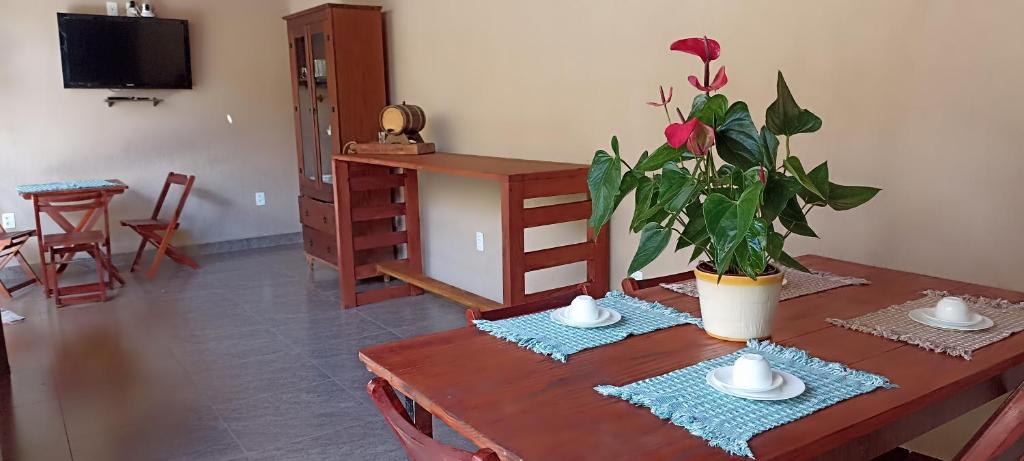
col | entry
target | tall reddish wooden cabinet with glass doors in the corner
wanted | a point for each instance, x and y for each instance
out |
(338, 90)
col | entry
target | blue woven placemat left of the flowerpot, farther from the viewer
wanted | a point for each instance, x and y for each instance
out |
(539, 333)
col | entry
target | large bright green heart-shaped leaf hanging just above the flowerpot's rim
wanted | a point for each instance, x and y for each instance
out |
(729, 223)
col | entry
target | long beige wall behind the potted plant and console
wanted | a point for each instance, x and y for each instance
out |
(921, 99)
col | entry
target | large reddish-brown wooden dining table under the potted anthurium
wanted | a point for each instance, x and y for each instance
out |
(529, 407)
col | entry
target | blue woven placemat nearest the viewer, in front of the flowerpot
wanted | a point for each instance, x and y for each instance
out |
(685, 397)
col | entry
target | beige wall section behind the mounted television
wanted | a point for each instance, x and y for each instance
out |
(240, 66)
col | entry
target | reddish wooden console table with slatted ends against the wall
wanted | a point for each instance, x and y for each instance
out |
(520, 180)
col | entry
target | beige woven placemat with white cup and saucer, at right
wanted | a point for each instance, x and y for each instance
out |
(893, 323)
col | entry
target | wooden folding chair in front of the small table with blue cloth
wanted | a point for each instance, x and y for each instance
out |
(61, 247)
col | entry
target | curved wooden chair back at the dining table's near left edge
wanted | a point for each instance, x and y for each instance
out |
(419, 446)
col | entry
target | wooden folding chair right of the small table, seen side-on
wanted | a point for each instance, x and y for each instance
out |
(159, 232)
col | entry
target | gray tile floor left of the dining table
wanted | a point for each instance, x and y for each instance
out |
(249, 358)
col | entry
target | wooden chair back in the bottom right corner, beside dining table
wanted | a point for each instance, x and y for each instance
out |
(1003, 436)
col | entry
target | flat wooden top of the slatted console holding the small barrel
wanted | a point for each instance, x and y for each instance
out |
(485, 167)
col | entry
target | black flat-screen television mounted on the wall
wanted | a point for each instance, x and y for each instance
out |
(124, 53)
